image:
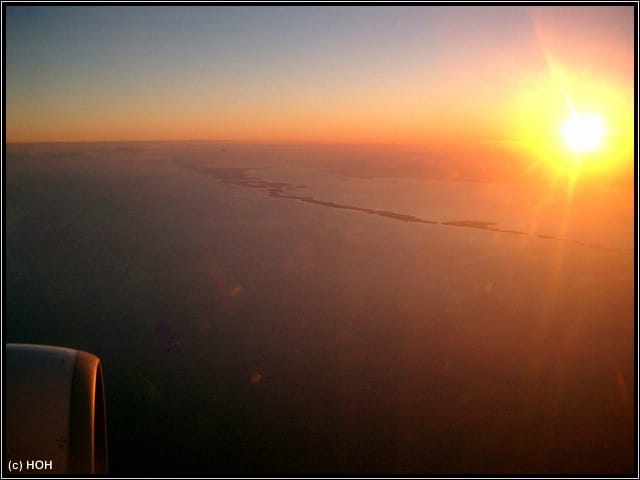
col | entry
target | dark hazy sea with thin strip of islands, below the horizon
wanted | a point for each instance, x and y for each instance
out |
(261, 311)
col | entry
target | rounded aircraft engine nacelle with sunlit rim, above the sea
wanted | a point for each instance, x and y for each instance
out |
(55, 418)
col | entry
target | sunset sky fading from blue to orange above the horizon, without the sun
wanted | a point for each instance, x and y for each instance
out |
(504, 75)
